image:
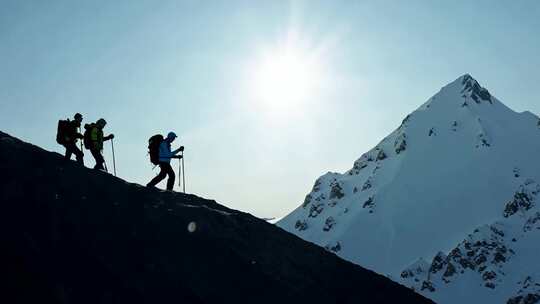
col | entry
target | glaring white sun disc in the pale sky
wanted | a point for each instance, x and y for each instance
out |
(286, 77)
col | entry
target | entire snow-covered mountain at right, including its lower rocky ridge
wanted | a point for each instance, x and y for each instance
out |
(438, 204)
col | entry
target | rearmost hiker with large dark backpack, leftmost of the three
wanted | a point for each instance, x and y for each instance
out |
(67, 135)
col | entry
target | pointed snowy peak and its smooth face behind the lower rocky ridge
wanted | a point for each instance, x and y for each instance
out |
(449, 168)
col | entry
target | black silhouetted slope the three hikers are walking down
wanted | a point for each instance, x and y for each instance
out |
(74, 235)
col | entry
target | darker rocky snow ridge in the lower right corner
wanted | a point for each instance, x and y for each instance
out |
(497, 263)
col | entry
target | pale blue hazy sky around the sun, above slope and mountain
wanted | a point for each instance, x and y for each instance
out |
(191, 66)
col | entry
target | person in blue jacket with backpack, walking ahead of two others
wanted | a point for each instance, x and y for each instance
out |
(161, 154)
